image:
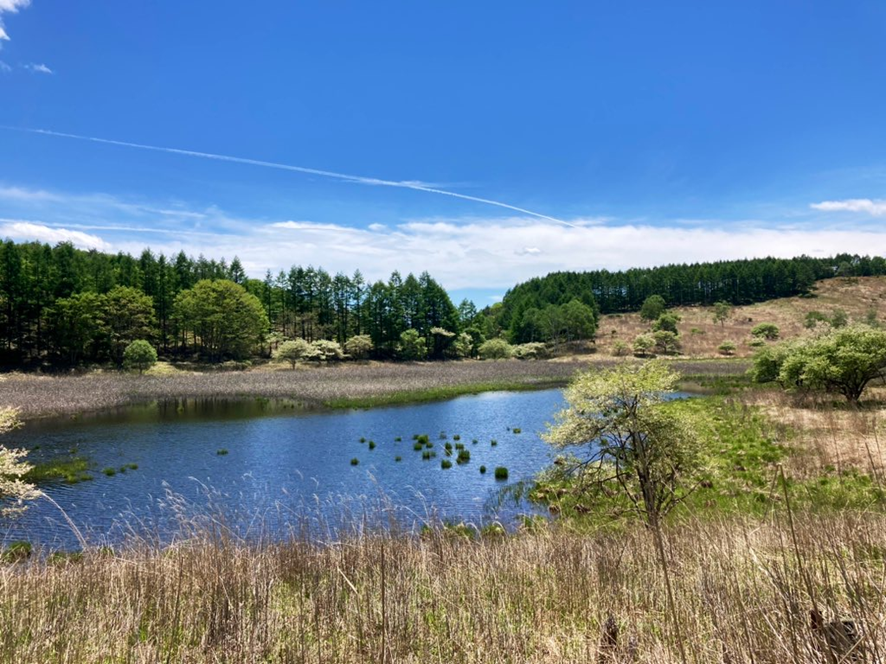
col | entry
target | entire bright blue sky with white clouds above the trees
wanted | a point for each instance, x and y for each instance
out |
(658, 132)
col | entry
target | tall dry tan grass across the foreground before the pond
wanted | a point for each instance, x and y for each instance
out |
(743, 590)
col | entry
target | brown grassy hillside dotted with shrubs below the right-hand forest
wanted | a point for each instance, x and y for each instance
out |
(855, 296)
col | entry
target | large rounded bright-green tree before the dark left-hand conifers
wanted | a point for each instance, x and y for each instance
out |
(219, 319)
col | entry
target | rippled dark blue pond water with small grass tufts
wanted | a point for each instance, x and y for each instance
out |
(285, 470)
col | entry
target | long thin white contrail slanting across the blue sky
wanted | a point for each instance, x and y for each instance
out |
(297, 169)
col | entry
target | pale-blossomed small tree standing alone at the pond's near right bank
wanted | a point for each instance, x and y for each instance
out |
(629, 441)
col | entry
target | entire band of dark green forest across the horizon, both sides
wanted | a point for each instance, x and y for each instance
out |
(64, 306)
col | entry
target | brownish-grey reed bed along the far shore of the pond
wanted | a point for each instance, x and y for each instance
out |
(332, 388)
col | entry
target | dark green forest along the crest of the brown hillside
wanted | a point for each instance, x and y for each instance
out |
(523, 310)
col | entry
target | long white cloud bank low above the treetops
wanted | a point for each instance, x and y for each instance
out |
(491, 253)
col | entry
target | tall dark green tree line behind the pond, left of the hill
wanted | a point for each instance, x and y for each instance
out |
(68, 306)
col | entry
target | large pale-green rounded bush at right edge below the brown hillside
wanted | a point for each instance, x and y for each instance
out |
(843, 361)
